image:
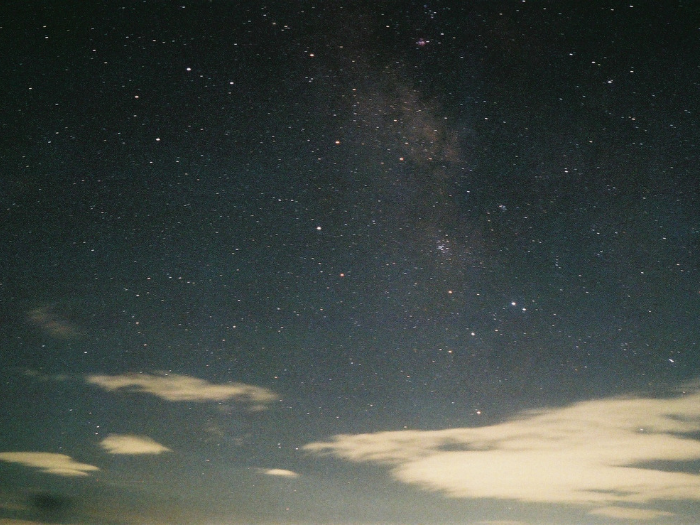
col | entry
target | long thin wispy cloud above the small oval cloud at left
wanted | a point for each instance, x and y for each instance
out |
(173, 387)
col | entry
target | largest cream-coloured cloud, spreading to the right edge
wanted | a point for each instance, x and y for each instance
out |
(595, 453)
